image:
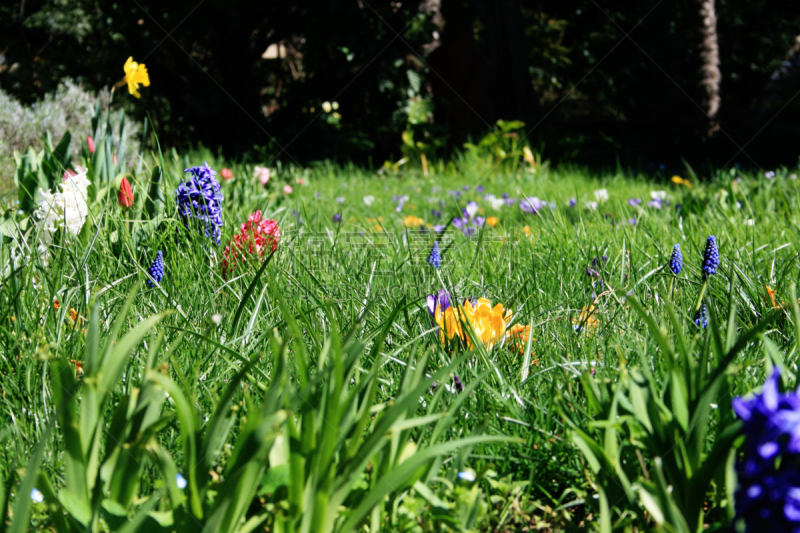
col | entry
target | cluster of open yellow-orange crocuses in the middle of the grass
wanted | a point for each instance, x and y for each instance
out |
(489, 323)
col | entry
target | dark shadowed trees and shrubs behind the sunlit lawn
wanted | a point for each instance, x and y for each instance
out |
(595, 81)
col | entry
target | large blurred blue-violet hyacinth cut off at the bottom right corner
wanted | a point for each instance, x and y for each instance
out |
(768, 496)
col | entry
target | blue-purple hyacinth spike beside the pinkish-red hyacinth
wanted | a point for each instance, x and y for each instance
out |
(200, 199)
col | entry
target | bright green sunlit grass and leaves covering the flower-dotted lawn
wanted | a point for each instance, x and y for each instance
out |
(312, 394)
